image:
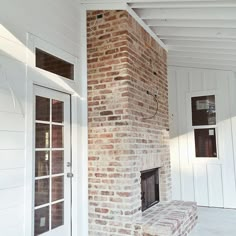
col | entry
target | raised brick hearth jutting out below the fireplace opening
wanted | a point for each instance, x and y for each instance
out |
(175, 218)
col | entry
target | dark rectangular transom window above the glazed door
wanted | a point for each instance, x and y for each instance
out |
(54, 64)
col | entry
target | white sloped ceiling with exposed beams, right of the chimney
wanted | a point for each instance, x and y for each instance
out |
(197, 33)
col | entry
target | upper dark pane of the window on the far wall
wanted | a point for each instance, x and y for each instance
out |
(203, 110)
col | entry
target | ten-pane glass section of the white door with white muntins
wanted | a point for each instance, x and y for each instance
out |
(49, 209)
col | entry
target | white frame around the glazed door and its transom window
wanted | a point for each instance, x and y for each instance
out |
(77, 89)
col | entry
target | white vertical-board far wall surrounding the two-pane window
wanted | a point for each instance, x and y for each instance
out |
(209, 181)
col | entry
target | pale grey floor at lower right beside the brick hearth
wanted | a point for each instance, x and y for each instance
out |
(215, 222)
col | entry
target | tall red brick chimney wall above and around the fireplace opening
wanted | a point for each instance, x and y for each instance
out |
(124, 62)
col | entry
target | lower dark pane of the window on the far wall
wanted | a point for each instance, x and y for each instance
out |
(205, 142)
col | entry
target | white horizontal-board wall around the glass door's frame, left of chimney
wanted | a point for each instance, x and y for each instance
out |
(55, 22)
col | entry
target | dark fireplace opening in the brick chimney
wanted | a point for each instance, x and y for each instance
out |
(149, 188)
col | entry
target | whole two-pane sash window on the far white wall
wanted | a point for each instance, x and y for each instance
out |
(204, 115)
